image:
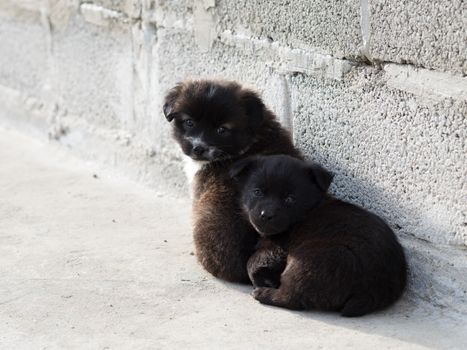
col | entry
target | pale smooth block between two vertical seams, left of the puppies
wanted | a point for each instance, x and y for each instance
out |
(93, 73)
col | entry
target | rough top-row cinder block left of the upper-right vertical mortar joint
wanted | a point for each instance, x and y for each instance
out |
(330, 27)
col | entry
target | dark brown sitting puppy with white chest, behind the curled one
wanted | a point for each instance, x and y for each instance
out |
(216, 123)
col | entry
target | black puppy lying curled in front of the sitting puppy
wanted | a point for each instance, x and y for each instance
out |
(315, 252)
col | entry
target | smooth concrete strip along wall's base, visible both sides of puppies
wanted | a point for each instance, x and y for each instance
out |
(436, 272)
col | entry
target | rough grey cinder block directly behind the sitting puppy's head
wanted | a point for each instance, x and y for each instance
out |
(223, 61)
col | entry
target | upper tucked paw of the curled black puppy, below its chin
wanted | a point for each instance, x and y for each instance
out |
(266, 265)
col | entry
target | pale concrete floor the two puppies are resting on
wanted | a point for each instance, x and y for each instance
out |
(91, 261)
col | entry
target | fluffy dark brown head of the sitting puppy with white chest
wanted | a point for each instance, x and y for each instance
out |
(213, 121)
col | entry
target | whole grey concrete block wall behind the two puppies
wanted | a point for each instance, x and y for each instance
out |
(374, 90)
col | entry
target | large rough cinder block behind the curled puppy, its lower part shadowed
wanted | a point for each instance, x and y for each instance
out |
(397, 153)
